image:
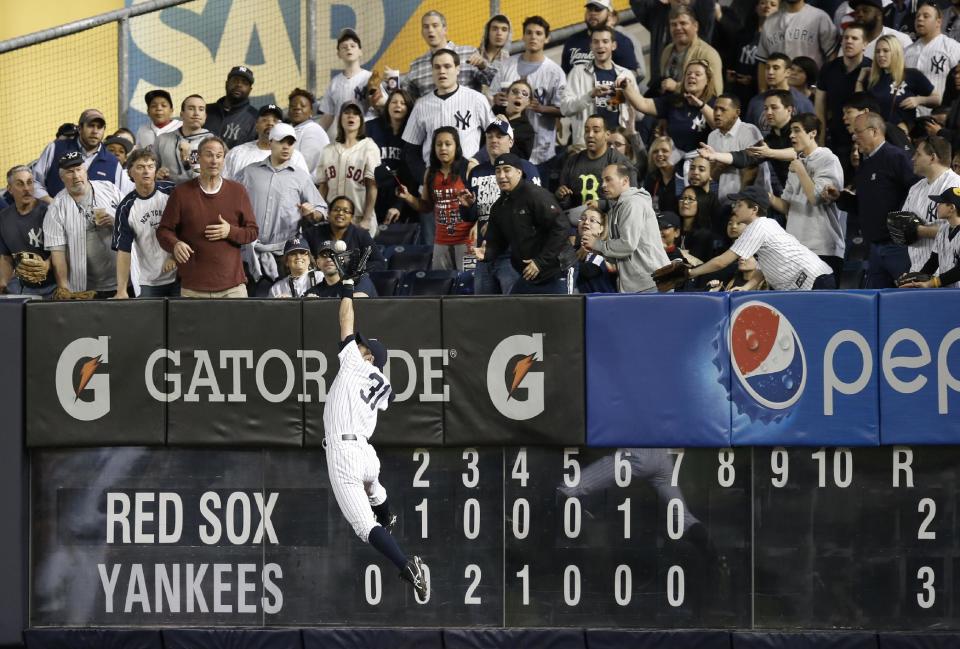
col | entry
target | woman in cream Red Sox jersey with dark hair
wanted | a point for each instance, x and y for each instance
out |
(347, 167)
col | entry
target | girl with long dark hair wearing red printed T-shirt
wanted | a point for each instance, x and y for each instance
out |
(443, 183)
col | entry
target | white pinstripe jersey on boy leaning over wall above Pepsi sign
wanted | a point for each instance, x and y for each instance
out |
(786, 263)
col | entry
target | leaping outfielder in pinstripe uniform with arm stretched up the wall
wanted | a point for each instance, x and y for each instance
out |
(356, 395)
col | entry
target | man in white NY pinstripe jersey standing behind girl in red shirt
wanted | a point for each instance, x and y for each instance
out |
(449, 105)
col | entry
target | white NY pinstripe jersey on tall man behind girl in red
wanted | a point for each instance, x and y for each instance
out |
(466, 110)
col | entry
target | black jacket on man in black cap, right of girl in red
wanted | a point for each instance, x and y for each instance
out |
(530, 222)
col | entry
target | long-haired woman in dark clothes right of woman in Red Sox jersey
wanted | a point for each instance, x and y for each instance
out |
(387, 132)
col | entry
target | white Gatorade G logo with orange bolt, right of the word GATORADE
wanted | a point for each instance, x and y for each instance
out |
(515, 390)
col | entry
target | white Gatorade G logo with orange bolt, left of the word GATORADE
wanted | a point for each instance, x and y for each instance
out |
(83, 388)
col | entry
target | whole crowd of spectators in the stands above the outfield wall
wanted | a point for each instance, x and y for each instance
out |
(764, 148)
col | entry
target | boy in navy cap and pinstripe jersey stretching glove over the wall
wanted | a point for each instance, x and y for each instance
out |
(784, 262)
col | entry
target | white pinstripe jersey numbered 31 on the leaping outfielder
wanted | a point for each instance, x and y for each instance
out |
(356, 396)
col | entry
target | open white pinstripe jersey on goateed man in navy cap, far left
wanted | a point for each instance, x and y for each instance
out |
(65, 224)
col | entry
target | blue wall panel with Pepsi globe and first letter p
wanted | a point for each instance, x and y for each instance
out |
(802, 369)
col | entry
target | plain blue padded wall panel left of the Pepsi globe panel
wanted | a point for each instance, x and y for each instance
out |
(657, 370)
